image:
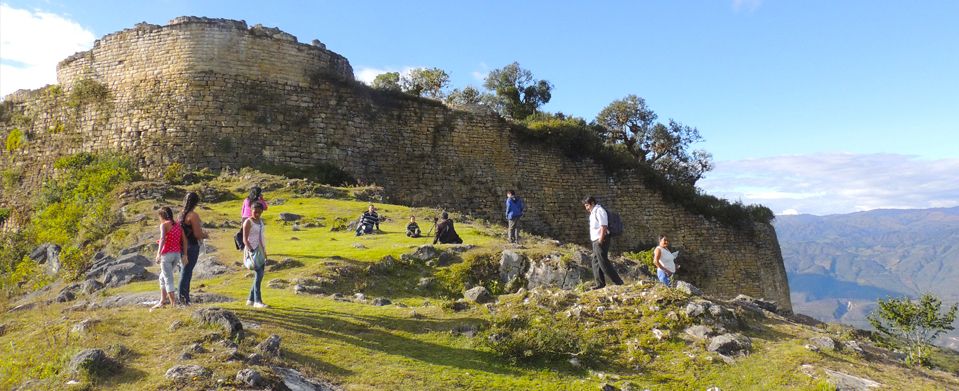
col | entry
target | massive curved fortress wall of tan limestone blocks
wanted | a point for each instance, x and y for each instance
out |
(215, 93)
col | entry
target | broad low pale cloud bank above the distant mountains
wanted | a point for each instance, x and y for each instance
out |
(837, 183)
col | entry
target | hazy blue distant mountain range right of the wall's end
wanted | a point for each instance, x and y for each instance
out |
(838, 265)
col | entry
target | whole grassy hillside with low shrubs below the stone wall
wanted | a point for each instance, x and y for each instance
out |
(631, 337)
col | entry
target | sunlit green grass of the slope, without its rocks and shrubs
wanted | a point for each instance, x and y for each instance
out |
(363, 347)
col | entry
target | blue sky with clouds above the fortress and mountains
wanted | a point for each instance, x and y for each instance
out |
(868, 85)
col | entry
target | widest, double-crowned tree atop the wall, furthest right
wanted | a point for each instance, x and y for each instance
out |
(665, 147)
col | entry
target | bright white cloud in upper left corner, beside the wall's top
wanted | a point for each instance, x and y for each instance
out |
(31, 45)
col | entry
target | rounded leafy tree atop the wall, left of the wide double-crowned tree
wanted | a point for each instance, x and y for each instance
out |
(516, 94)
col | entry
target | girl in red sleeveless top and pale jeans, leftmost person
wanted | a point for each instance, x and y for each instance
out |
(171, 250)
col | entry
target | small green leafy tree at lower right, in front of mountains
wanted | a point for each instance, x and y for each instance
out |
(917, 323)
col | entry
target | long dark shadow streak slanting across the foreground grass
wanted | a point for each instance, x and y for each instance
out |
(365, 336)
